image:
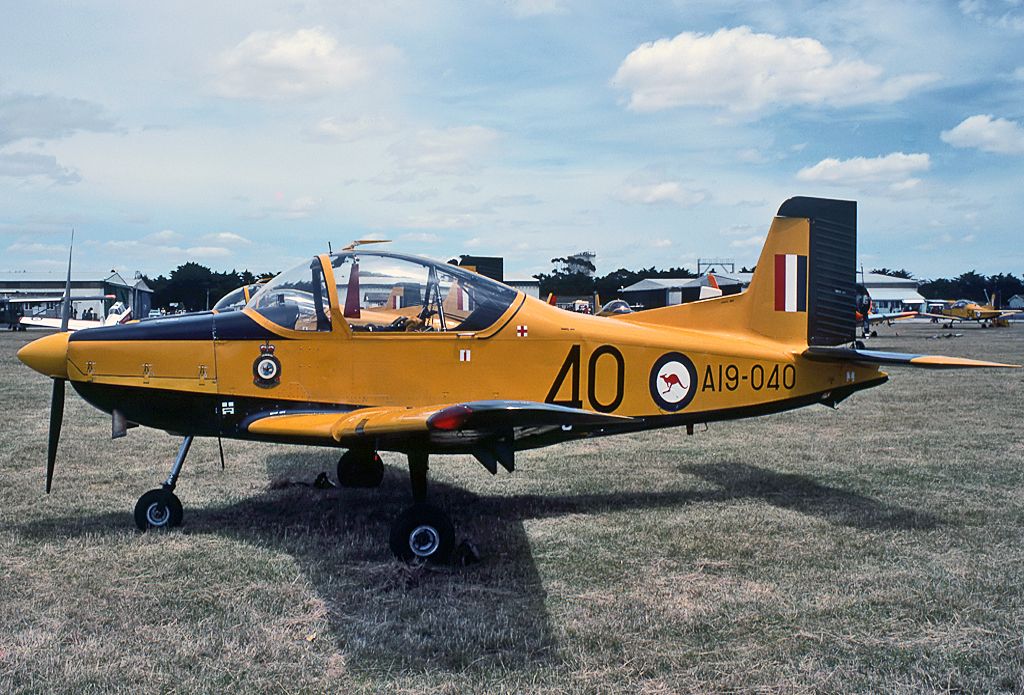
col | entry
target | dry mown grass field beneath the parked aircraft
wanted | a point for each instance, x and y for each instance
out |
(875, 548)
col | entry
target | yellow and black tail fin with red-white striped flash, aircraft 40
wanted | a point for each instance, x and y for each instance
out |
(804, 287)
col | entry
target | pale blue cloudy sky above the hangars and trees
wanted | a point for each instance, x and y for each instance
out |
(248, 137)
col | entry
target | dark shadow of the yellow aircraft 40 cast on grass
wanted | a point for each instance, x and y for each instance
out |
(387, 617)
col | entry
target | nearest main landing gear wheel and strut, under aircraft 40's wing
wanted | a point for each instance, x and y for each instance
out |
(422, 533)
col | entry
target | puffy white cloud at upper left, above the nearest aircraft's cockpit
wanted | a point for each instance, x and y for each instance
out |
(289, 65)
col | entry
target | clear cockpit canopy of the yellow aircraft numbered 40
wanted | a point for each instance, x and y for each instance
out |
(383, 292)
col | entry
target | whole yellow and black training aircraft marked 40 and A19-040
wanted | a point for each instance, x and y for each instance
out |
(488, 373)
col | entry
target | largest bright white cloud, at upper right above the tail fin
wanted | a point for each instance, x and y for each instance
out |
(744, 72)
